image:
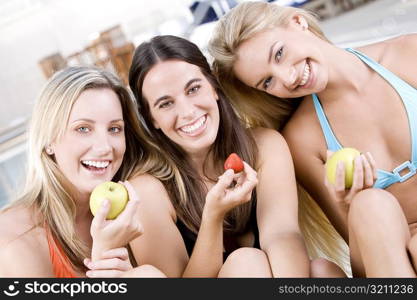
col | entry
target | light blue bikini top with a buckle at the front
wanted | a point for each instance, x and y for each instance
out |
(408, 95)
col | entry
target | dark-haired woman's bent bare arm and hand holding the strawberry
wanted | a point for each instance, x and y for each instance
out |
(161, 244)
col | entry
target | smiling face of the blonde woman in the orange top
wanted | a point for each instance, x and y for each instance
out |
(92, 147)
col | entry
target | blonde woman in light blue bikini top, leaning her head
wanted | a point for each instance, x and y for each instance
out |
(280, 70)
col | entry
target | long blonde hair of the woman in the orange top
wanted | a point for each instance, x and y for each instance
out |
(47, 192)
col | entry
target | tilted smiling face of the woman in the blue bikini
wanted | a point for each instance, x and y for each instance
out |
(285, 62)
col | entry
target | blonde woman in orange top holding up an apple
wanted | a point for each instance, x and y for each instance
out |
(81, 134)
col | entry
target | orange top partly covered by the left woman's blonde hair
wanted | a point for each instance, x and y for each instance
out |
(61, 264)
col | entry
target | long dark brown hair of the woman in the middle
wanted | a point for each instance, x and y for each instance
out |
(184, 185)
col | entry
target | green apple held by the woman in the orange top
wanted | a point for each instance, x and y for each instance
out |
(116, 193)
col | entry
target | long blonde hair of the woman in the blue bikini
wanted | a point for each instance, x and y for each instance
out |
(258, 108)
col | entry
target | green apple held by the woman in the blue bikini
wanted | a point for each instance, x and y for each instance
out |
(347, 155)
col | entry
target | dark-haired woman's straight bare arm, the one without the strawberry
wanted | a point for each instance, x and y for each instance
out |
(277, 208)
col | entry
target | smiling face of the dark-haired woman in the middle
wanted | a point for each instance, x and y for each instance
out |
(183, 105)
